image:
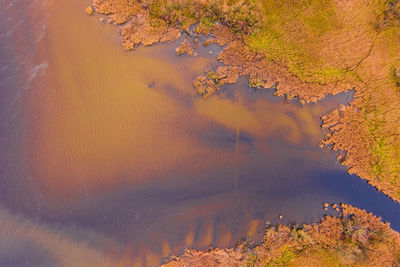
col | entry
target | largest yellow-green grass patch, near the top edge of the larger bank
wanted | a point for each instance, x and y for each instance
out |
(289, 30)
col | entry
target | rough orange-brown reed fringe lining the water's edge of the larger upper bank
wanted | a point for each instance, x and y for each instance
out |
(140, 28)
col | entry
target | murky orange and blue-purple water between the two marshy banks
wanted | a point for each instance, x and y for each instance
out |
(111, 158)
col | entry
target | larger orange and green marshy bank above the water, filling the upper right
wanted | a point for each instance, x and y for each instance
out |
(305, 49)
